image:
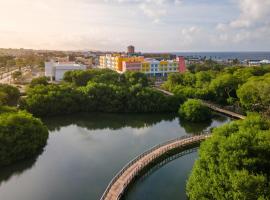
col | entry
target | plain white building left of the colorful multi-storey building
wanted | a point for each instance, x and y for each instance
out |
(56, 70)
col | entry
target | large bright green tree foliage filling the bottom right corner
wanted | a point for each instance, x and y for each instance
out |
(234, 163)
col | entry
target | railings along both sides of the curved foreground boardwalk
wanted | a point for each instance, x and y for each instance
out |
(186, 140)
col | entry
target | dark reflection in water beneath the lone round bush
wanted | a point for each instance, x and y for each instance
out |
(193, 128)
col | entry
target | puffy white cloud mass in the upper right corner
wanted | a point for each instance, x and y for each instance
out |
(250, 29)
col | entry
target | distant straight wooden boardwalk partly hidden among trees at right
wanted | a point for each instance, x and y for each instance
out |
(211, 106)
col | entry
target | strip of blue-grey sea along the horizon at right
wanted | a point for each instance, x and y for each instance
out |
(227, 55)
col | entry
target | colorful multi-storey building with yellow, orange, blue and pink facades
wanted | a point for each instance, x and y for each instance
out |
(149, 66)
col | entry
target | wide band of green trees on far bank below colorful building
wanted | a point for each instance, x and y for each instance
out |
(105, 91)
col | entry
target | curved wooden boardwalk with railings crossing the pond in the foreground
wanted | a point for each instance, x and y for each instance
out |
(121, 181)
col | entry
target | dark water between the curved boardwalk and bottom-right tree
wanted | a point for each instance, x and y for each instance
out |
(167, 182)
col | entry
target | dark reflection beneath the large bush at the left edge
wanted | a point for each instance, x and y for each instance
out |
(17, 168)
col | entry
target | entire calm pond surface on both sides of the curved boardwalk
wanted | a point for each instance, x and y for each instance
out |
(84, 152)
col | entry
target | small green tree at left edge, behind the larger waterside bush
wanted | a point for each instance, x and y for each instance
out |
(9, 95)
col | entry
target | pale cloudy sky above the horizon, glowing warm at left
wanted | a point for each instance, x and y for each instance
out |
(149, 25)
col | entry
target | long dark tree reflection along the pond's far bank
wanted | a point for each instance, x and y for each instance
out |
(95, 121)
